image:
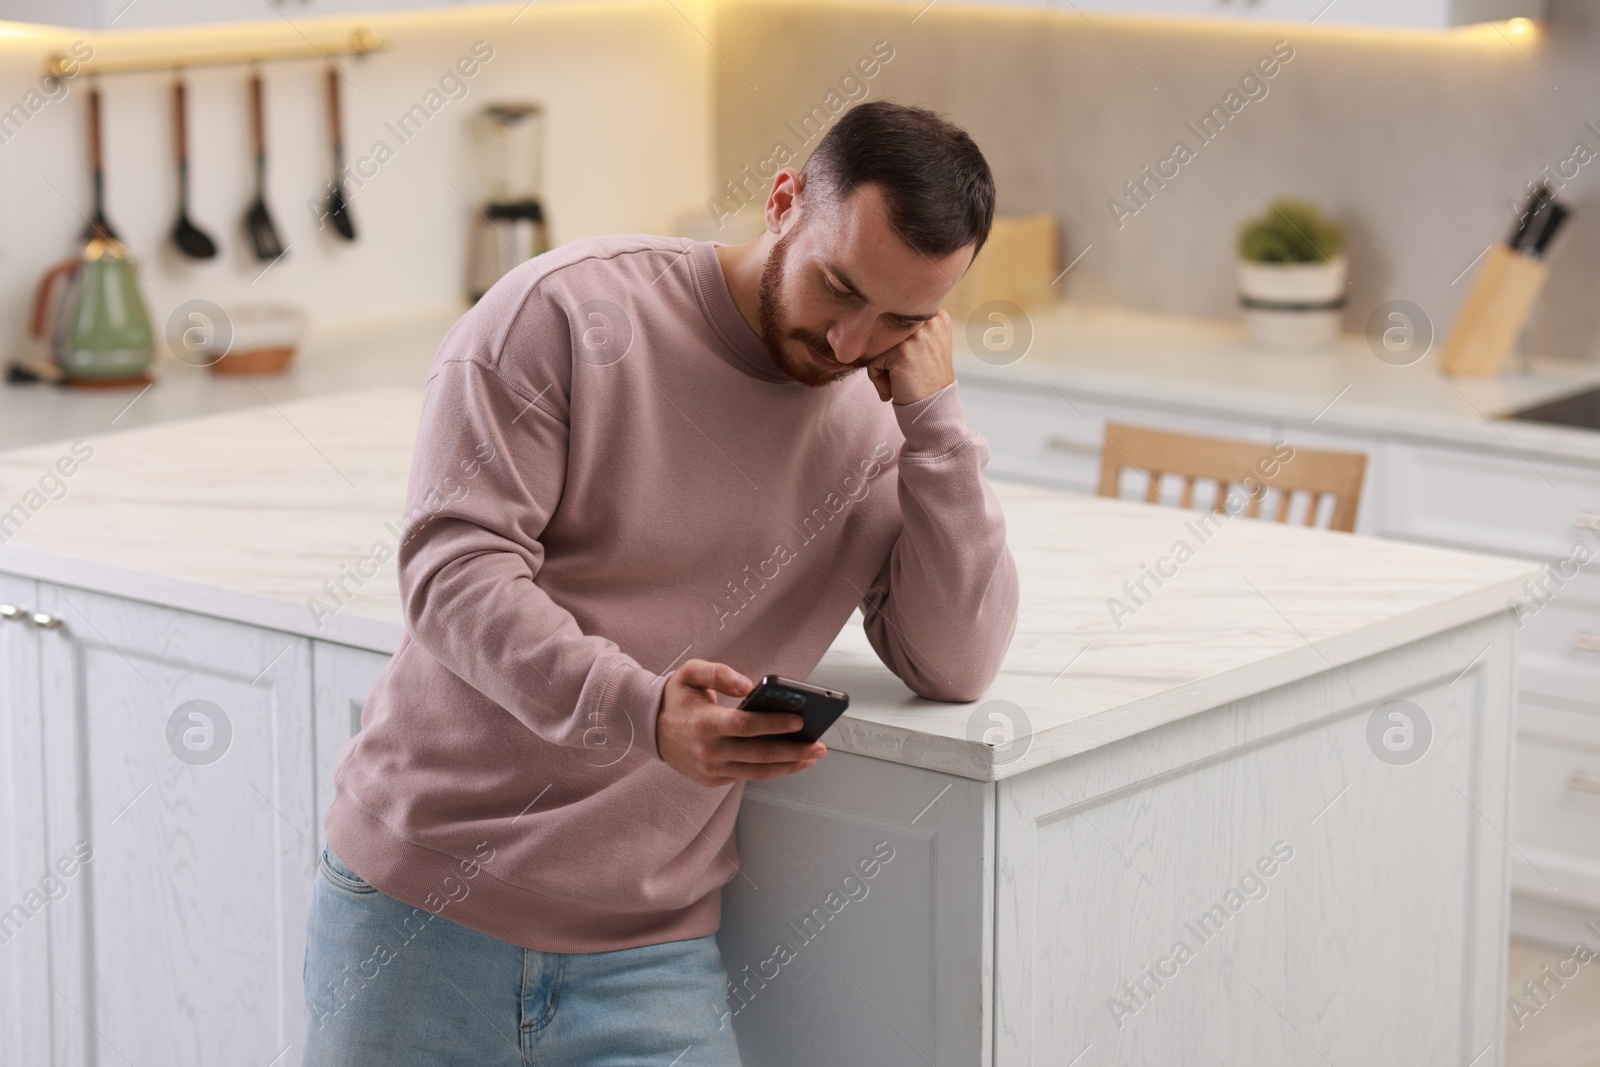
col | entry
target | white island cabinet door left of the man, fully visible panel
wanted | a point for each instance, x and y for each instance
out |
(178, 748)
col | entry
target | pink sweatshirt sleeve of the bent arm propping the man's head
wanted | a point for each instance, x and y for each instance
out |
(943, 610)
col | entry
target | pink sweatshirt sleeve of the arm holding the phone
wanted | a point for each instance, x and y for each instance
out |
(487, 474)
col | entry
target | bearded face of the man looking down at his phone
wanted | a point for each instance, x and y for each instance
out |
(841, 289)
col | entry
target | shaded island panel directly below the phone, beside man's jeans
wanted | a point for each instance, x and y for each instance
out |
(913, 937)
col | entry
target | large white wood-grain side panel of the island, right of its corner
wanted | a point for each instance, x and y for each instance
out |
(1263, 879)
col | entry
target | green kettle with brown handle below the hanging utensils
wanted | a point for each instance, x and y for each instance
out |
(100, 332)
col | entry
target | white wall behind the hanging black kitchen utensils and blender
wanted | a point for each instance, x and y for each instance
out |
(628, 150)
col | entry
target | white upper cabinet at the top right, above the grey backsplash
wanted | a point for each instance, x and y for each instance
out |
(1375, 14)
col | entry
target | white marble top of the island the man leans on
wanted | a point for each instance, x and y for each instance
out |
(247, 514)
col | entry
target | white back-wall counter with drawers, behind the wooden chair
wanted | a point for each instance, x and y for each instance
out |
(1446, 466)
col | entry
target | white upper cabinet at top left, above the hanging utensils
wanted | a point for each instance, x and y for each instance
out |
(119, 15)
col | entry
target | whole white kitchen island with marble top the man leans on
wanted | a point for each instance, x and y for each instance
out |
(1263, 810)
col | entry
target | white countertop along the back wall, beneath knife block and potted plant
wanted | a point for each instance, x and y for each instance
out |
(1209, 366)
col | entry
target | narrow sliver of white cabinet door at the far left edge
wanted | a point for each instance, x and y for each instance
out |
(26, 879)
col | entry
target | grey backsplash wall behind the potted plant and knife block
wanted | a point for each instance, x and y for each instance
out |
(1420, 143)
